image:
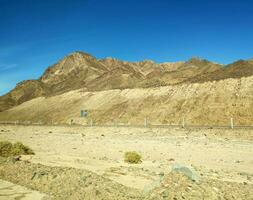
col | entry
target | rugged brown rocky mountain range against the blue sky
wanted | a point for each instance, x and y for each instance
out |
(82, 71)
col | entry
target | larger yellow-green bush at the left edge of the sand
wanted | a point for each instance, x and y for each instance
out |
(8, 149)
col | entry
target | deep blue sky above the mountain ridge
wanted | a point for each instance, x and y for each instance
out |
(36, 33)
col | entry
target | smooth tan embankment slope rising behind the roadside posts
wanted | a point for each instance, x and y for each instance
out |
(209, 103)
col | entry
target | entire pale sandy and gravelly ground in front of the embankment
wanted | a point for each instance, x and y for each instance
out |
(221, 159)
